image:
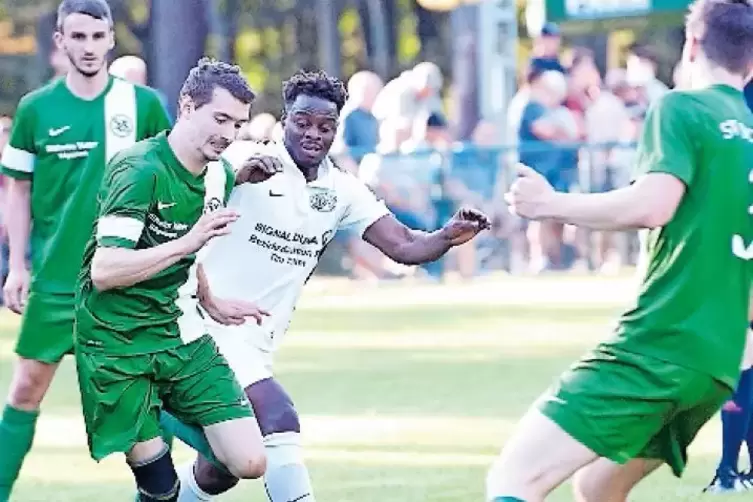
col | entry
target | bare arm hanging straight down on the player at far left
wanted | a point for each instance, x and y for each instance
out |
(18, 227)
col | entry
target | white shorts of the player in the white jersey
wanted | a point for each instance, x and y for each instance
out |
(250, 362)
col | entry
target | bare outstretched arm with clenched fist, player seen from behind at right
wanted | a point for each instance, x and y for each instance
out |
(648, 203)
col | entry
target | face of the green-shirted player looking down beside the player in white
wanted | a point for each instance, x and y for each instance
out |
(216, 124)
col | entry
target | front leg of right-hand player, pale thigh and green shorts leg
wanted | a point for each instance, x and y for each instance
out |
(584, 419)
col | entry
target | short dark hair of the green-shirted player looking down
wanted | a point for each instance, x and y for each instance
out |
(209, 74)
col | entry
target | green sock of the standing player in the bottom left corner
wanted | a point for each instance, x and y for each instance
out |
(16, 435)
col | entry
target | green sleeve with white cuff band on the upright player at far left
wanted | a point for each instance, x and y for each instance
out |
(19, 155)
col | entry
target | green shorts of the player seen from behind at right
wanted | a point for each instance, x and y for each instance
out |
(623, 406)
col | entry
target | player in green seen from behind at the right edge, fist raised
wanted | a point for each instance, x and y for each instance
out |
(638, 400)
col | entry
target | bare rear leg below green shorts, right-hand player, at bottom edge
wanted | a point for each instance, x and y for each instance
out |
(607, 481)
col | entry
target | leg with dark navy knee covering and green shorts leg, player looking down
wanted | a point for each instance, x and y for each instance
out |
(120, 403)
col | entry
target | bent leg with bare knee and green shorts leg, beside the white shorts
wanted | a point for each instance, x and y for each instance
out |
(204, 391)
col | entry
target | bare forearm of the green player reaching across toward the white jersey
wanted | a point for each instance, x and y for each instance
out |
(119, 267)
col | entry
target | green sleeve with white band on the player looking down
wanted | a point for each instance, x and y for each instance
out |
(125, 198)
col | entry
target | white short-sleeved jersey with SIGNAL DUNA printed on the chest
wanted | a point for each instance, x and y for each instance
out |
(285, 225)
